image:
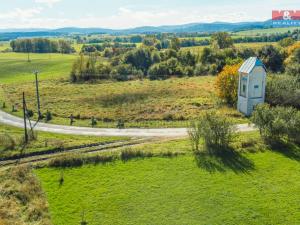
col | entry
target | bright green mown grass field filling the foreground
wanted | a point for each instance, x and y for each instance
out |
(250, 188)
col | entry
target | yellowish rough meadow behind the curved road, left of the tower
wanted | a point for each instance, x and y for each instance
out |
(172, 102)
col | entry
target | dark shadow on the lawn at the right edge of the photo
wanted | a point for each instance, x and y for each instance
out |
(287, 149)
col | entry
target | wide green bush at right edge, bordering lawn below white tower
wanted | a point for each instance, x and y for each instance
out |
(277, 123)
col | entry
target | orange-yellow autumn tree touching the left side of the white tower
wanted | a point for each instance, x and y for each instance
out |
(227, 84)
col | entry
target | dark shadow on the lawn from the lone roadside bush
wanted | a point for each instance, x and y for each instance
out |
(224, 160)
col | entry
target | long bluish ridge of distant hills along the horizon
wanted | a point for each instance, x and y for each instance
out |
(185, 28)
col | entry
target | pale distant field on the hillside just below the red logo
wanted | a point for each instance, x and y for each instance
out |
(259, 32)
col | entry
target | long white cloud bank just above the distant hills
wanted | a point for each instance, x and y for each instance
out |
(126, 17)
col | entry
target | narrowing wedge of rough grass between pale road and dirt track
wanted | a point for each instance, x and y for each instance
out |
(46, 141)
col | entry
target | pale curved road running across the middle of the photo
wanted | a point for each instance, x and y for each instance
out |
(8, 119)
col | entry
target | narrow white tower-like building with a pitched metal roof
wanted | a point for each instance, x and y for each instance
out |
(252, 85)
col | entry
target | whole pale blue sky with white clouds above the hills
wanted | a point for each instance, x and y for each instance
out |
(133, 13)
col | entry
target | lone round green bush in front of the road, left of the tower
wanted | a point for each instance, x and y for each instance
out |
(216, 131)
